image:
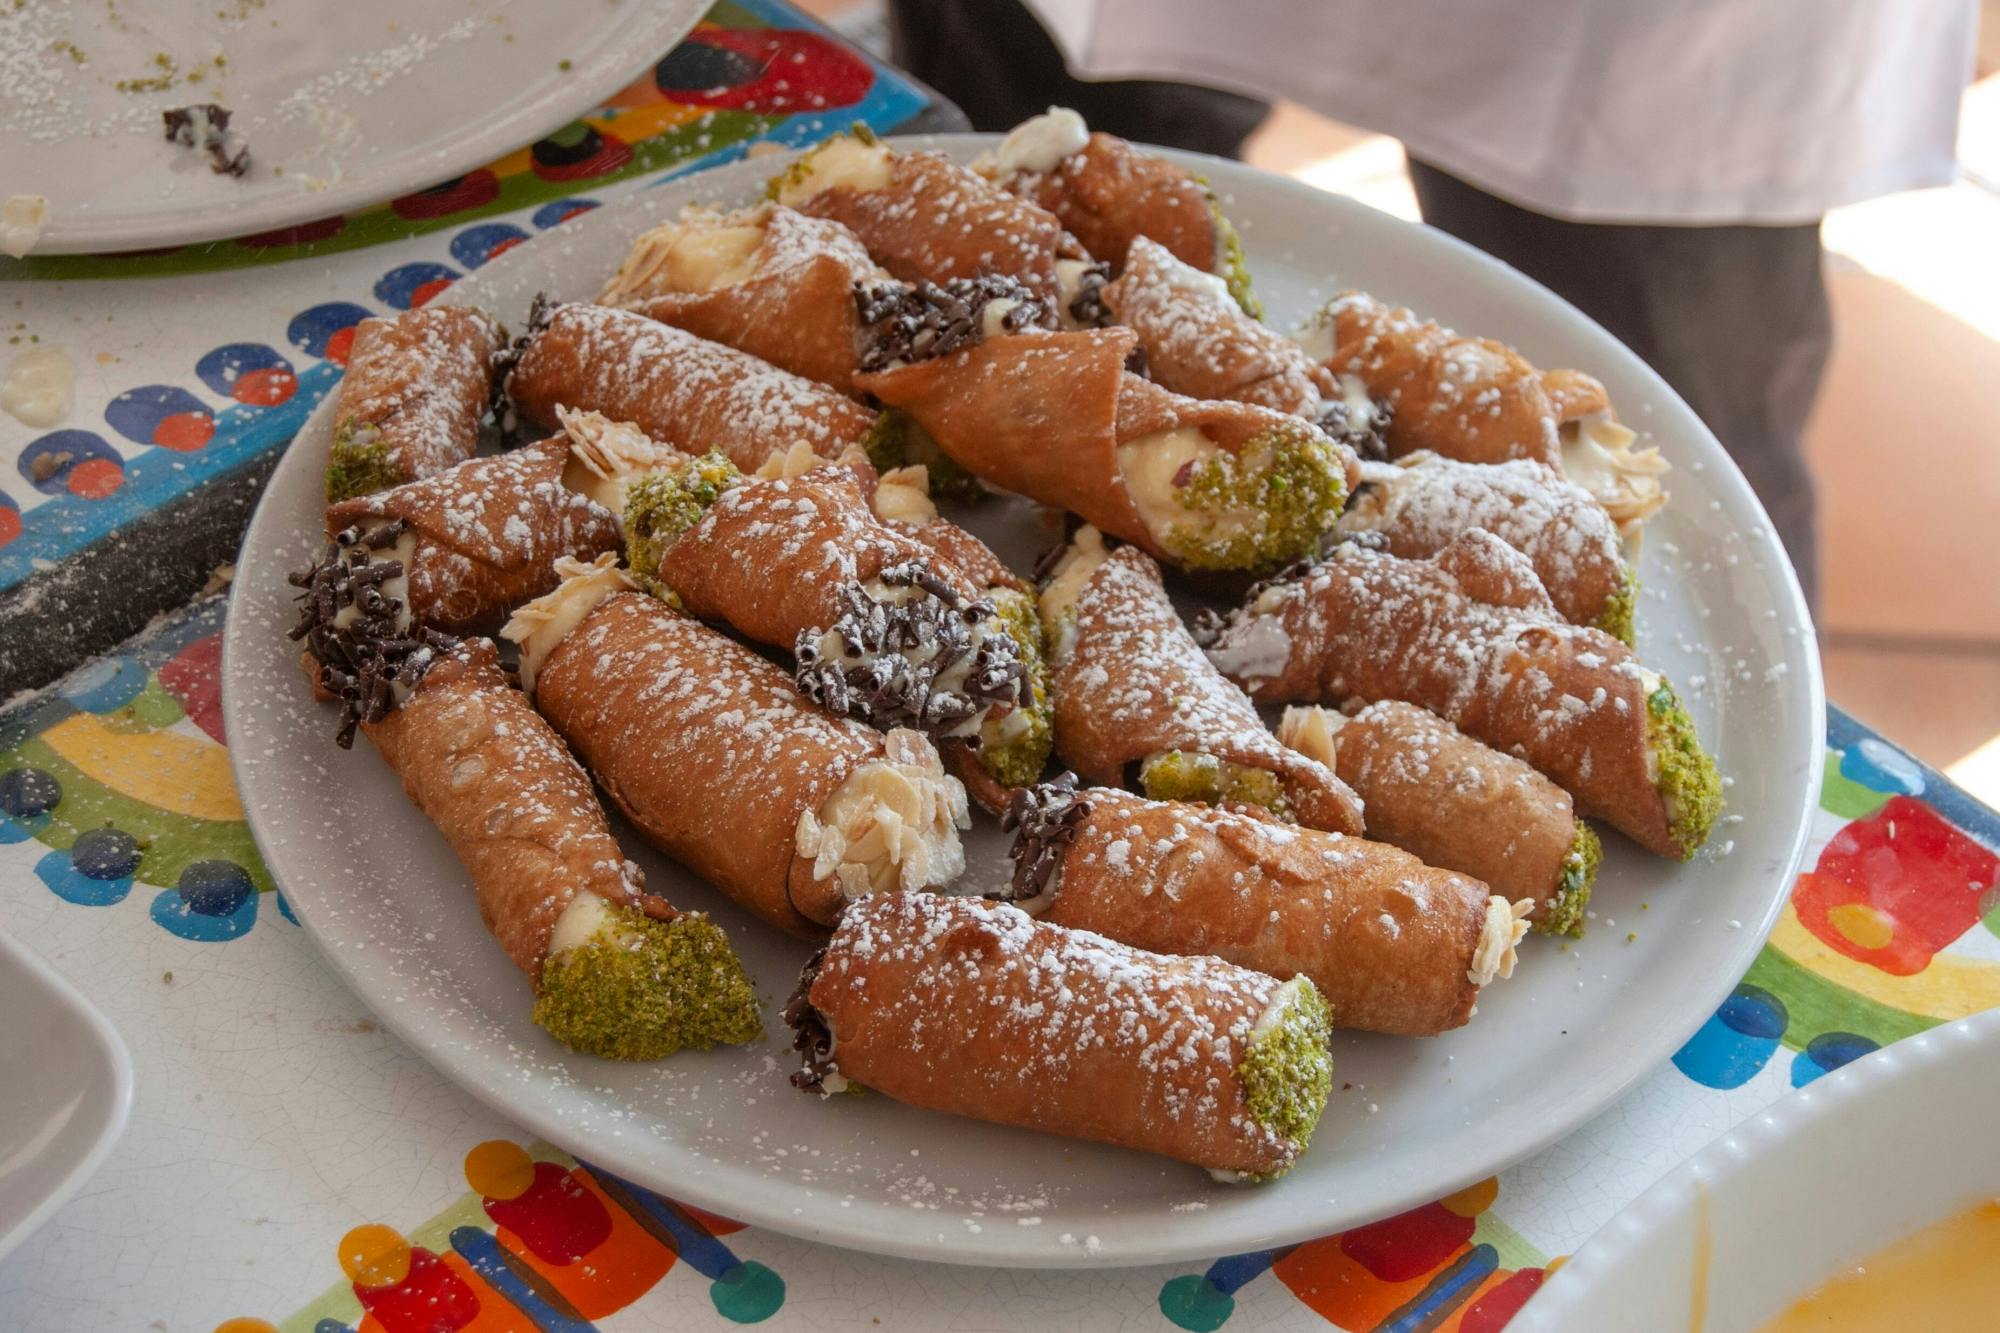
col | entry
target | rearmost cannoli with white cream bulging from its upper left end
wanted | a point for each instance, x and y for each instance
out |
(1111, 193)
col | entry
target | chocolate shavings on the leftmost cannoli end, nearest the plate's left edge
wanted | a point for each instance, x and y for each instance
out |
(377, 655)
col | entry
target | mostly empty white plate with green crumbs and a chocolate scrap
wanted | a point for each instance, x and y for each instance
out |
(355, 103)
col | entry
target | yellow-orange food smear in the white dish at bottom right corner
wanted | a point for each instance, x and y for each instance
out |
(1941, 1280)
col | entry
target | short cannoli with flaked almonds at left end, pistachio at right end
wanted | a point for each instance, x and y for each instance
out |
(1459, 806)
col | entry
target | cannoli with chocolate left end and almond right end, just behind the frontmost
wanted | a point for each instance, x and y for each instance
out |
(1393, 944)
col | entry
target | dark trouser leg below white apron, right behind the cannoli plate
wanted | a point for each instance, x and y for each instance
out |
(1733, 317)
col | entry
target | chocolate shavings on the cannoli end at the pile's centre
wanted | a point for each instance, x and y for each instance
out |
(893, 655)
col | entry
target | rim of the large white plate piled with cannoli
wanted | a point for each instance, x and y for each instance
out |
(1603, 1092)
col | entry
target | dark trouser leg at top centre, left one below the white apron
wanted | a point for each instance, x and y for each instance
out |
(1001, 67)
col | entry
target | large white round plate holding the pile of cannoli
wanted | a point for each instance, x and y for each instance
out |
(1409, 1120)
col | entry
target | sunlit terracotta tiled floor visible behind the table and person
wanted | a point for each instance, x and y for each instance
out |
(1905, 437)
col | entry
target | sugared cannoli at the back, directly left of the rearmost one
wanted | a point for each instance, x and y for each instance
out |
(929, 219)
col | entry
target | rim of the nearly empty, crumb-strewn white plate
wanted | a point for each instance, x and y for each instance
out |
(475, 143)
